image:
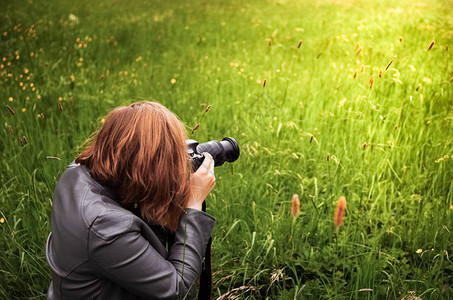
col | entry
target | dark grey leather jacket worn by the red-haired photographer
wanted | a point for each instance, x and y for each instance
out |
(98, 250)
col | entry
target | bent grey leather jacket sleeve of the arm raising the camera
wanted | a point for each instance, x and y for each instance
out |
(129, 260)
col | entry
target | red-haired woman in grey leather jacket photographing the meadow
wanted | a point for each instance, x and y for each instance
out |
(98, 248)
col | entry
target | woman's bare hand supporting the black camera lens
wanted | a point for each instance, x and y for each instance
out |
(202, 182)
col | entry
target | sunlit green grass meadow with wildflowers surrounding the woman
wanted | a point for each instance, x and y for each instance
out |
(326, 99)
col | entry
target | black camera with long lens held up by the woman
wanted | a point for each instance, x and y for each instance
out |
(226, 150)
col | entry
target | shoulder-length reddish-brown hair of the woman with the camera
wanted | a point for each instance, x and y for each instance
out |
(140, 152)
